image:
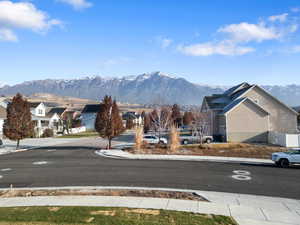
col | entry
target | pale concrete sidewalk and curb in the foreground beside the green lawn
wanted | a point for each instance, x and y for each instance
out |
(245, 209)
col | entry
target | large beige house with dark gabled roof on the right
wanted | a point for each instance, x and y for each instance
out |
(247, 113)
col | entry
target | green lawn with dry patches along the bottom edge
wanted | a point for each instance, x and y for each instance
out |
(104, 216)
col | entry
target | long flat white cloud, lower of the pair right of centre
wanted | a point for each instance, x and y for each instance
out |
(209, 48)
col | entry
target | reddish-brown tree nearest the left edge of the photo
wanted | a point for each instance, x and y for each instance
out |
(18, 124)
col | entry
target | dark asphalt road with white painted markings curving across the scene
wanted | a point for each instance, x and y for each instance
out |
(79, 166)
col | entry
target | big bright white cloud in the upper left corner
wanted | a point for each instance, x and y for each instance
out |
(23, 15)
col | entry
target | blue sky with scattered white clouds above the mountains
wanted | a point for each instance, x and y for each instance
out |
(217, 42)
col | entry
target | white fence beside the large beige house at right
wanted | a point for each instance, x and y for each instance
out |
(285, 140)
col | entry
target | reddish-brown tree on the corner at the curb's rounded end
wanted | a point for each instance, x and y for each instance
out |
(108, 122)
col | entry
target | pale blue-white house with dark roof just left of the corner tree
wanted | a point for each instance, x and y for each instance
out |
(88, 116)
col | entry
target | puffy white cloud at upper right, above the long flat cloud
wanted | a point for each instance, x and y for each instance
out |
(246, 32)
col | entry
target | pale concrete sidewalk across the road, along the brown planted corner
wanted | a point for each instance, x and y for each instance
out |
(120, 154)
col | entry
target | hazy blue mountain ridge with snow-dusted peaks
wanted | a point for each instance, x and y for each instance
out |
(144, 89)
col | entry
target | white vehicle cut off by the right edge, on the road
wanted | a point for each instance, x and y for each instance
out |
(285, 159)
